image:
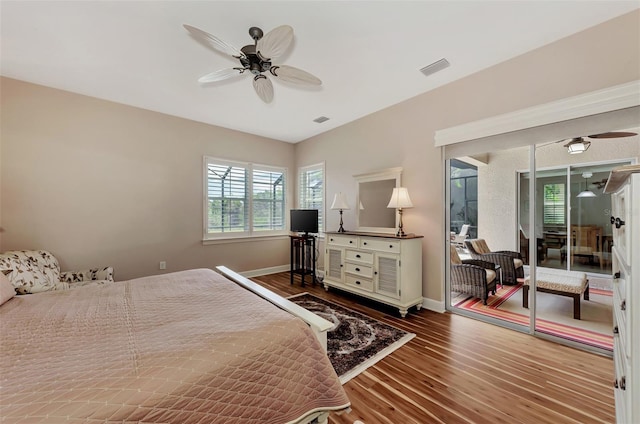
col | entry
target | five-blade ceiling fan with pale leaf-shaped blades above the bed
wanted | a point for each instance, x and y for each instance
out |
(256, 59)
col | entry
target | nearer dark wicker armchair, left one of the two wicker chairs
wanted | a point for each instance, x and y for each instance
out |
(472, 276)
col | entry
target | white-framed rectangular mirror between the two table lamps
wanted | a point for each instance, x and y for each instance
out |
(374, 192)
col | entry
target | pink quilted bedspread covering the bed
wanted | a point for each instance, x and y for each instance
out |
(187, 347)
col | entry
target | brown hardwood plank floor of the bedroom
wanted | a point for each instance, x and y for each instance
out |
(459, 370)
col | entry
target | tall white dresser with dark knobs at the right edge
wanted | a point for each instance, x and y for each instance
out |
(624, 185)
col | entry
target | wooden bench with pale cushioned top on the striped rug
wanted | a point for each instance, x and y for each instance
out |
(560, 282)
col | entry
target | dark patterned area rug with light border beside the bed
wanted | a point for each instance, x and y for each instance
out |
(356, 341)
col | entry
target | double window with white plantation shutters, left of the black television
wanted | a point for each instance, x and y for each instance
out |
(243, 199)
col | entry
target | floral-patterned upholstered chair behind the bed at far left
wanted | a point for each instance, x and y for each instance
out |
(35, 271)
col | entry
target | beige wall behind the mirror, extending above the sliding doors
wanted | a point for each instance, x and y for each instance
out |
(403, 135)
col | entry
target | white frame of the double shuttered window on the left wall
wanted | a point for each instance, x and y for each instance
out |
(250, 232)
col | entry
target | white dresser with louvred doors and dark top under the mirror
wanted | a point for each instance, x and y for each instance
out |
(382, 267)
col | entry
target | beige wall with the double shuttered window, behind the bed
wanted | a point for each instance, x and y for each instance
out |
(100, 183)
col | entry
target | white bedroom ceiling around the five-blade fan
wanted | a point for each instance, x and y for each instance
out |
(367, 53)
